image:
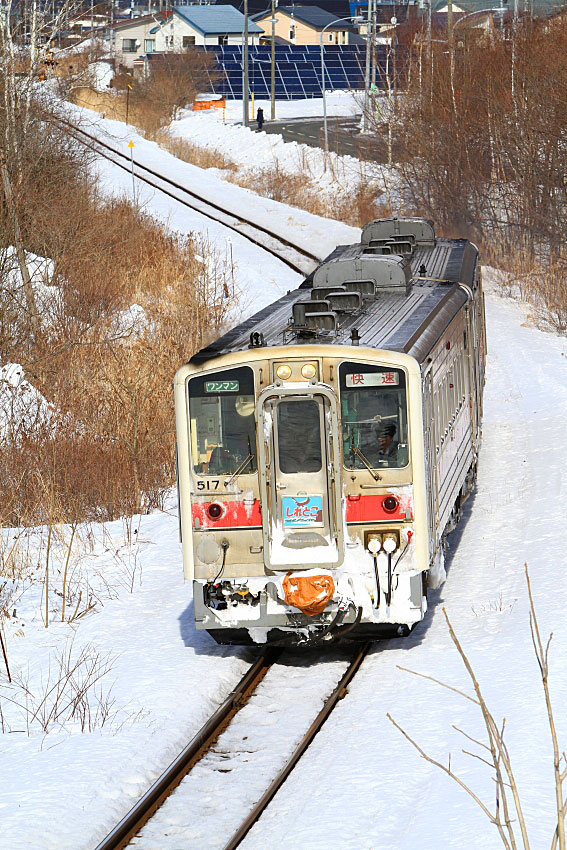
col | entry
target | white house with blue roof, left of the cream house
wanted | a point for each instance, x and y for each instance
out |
(179, 28)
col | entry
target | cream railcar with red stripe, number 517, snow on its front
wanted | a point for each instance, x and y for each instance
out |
(326, 445)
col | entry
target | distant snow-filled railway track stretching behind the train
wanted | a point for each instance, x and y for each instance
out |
(298, 259)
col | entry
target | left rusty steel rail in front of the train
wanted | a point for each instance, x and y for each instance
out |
(124, 831)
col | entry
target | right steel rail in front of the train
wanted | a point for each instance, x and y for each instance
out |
(339, 692)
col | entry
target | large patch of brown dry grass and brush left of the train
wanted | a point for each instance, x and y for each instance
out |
(107, 448)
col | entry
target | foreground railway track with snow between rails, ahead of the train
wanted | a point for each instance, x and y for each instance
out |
(224, 779)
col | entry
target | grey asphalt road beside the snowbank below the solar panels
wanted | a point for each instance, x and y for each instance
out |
(343, 135)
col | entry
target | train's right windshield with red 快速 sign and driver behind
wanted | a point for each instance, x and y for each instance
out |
(374, 416)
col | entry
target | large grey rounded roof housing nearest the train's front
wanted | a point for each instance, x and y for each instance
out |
(386, 273)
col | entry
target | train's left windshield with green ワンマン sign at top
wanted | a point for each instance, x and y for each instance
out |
(223, 425)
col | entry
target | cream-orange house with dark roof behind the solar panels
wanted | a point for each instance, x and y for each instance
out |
(304, 25)
